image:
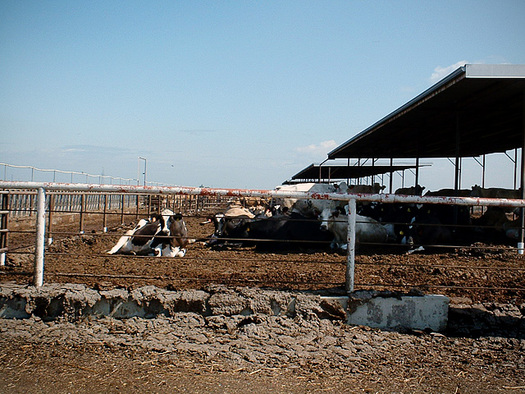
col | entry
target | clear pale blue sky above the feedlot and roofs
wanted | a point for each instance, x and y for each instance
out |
(233, 94)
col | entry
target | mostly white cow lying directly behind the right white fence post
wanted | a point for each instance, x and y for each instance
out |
(367, 230)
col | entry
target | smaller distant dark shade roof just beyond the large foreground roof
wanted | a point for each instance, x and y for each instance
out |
(333, 172)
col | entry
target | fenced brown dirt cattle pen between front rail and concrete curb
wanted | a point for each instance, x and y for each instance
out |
(83, 232)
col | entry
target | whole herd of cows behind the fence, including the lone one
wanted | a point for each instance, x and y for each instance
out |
(323, 224)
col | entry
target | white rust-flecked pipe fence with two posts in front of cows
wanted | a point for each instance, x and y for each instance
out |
(47, 189)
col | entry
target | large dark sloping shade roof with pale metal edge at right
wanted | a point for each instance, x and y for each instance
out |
(477, 109)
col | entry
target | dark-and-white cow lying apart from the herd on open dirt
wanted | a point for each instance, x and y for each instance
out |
(164, 235)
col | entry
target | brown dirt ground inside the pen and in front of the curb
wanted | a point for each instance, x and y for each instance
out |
(194, 353)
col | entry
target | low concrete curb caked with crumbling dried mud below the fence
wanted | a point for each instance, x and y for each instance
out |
(74, 301)
